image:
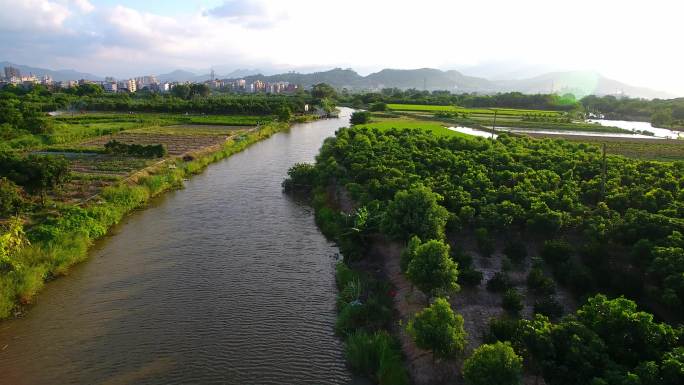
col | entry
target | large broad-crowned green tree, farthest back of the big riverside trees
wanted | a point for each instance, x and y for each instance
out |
(415, 212)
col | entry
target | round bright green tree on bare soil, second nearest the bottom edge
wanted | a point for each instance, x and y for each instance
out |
(438, 329)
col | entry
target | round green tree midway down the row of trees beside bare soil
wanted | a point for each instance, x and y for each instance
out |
(432, 270)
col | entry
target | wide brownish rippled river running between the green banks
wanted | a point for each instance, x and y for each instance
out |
(227, 281)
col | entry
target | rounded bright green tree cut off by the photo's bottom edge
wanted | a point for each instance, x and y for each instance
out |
(493, 364)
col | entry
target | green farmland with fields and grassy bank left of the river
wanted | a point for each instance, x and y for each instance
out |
(66, 179)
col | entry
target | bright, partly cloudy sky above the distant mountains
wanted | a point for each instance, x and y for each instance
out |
(636, 42)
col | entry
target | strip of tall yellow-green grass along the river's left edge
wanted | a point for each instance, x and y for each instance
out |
(64, 233)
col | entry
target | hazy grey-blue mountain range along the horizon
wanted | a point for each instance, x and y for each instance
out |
(579, 83)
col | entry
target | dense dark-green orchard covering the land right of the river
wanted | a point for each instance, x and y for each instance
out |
(572, 225)
